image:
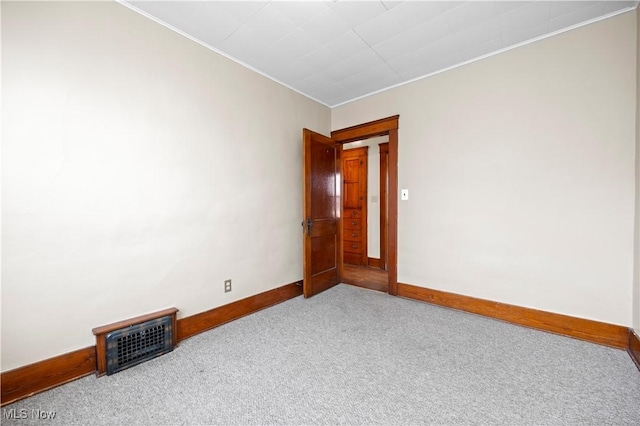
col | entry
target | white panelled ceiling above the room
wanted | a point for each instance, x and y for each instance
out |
(338, 51)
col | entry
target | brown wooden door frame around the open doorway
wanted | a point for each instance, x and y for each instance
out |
(383, 127)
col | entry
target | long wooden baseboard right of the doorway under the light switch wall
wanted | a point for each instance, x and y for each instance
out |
(591, 331)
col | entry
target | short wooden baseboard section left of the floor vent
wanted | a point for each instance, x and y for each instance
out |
(25, 381)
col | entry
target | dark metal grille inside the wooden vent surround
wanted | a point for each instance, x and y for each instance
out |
(138, 343)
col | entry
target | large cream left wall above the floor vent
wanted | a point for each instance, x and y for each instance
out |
(140, 171)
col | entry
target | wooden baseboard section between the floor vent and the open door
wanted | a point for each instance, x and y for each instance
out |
(196, 324)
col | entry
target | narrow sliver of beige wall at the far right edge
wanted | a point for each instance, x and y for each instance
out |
(636, 286)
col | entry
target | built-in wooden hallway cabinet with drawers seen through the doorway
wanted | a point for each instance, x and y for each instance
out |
(354, 198)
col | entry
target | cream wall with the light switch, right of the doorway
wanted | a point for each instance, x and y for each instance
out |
(520, 168)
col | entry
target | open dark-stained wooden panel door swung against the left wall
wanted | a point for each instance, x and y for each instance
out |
(322, 242)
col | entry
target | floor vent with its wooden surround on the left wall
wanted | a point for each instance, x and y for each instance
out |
(127, 343)
